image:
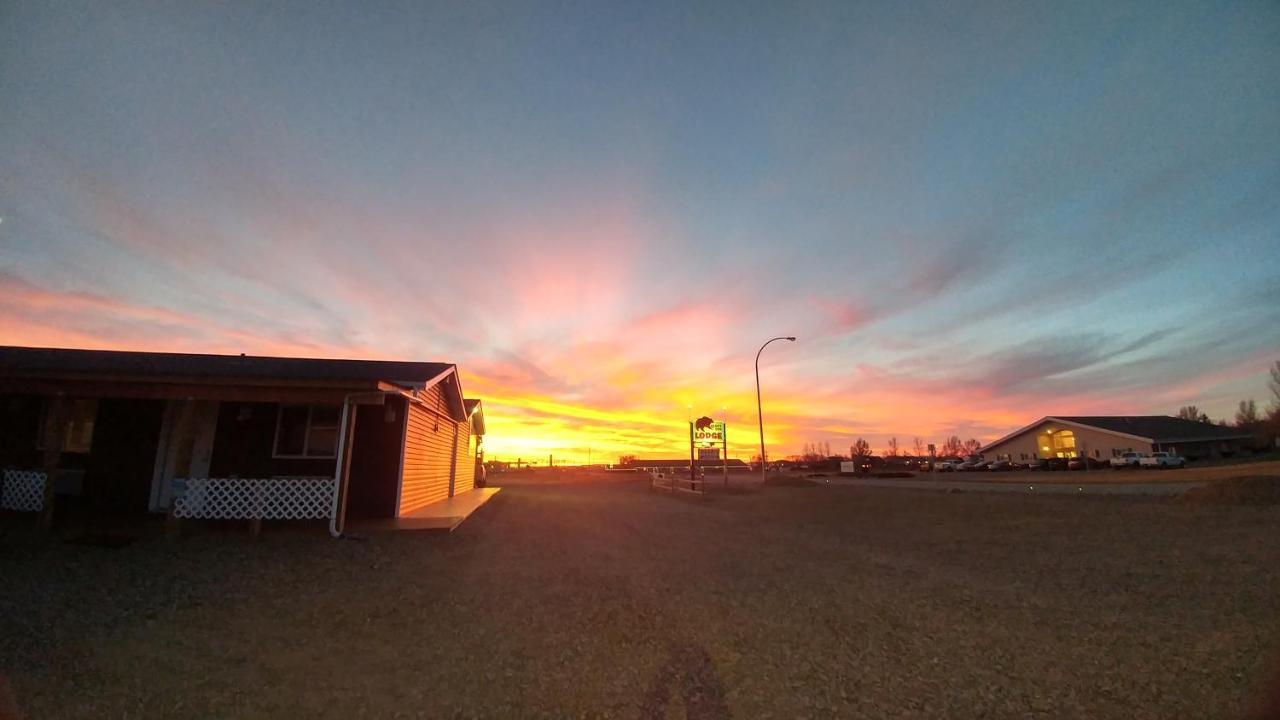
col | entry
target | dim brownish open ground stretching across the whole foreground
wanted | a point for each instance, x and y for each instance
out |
(597, 599)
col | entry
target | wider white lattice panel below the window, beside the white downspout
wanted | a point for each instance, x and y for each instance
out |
(246, 499)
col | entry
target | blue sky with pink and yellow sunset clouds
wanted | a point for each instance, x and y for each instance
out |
(970, 215)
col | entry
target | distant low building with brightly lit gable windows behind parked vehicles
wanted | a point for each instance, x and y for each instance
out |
(1109, 436)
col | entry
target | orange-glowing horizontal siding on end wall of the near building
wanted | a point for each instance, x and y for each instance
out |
(428, 452)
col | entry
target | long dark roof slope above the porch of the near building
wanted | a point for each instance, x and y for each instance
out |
(47, 361)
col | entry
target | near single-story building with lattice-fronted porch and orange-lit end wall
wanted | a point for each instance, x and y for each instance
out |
(232, 436)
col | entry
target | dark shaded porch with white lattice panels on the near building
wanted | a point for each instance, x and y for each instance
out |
(124, 453)
